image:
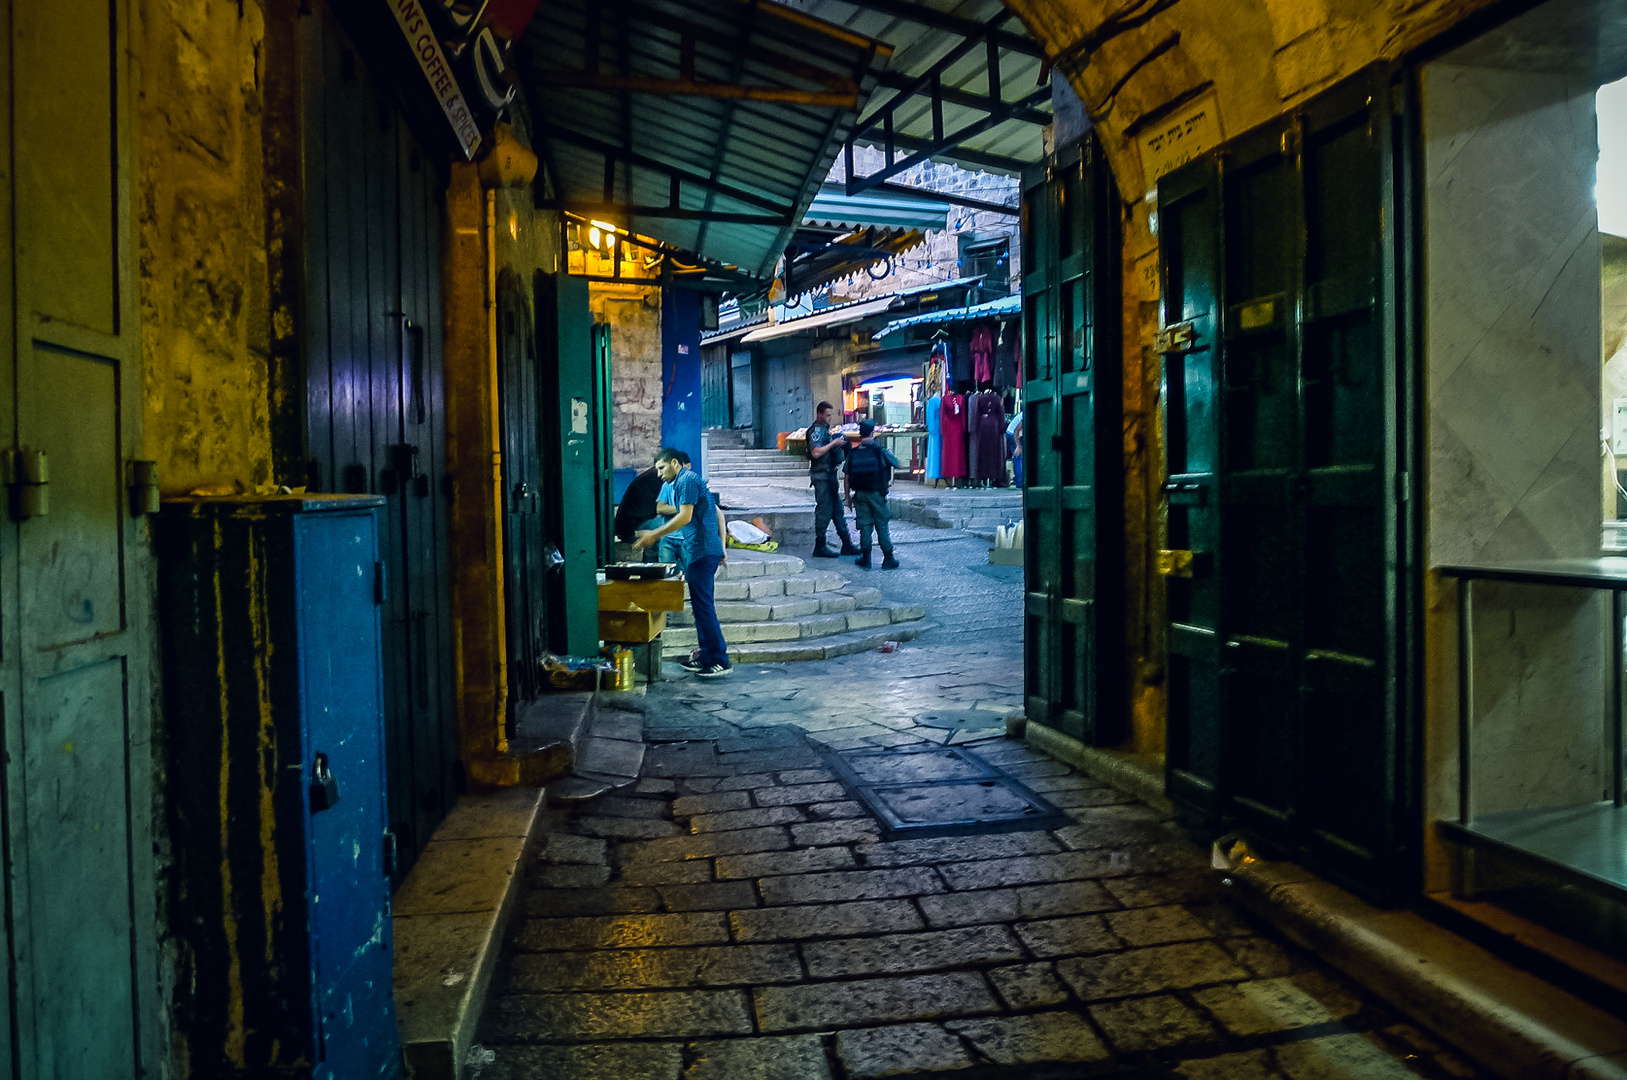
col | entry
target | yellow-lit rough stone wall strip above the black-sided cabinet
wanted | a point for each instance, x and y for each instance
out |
(206, 311)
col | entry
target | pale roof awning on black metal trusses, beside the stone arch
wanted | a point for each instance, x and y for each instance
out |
(967, 84)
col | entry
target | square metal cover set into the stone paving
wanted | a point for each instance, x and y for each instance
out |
(941, 791)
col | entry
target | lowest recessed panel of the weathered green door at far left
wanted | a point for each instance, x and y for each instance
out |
(81, 904)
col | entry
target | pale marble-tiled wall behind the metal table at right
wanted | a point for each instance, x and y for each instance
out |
(1512, 383)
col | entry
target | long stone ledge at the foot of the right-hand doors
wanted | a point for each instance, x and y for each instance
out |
(1509, 1021)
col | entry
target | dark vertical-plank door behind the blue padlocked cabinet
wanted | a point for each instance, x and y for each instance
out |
(377, 417)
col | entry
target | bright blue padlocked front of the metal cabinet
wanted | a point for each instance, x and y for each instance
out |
(341, 590)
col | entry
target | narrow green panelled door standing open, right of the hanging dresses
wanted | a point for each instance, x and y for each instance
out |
(1073, 401)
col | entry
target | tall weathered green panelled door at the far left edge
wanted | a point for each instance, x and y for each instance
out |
(76, 684)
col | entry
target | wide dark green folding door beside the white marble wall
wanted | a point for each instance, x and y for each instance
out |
(1285, 425)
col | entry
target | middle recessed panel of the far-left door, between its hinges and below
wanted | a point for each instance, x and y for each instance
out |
(72, 564)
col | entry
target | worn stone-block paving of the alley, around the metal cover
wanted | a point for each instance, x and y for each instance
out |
(739, 917)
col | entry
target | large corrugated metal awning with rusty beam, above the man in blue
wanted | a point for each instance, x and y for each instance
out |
(705, 124)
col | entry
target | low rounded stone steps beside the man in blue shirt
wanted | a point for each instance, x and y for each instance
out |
(775, 609)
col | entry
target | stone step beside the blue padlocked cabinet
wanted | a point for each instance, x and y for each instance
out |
(450, 918)
